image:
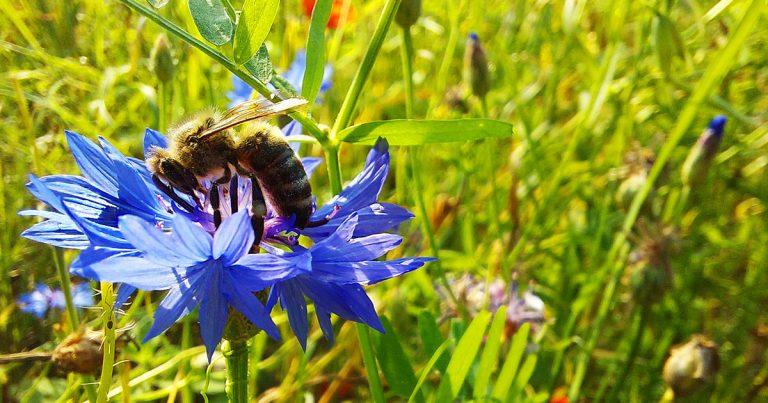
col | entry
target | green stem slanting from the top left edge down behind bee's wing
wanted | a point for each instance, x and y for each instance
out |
(306, 122)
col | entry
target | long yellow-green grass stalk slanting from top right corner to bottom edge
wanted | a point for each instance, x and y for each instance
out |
(716, 70)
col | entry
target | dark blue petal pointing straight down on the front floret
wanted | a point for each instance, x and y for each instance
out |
(213, 312)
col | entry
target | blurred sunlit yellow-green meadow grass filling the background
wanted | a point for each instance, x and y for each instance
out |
(584, 83)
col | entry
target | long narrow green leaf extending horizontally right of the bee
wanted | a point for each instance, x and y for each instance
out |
(405, 132)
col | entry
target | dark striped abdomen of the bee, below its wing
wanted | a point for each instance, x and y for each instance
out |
(264, 152)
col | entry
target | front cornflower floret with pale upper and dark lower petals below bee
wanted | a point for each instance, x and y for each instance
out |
(215, 272)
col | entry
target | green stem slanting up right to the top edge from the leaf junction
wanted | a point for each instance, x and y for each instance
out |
(353, 93)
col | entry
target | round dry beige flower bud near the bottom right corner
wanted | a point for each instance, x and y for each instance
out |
(691, 366)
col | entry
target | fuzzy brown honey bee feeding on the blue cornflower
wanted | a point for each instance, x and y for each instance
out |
(205, 148)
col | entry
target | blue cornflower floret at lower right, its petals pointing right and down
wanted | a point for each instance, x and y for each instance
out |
(340, 266)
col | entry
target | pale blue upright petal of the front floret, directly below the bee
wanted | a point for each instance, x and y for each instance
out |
(234, 238)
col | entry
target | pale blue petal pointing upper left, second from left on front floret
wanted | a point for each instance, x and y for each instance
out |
(159, 247)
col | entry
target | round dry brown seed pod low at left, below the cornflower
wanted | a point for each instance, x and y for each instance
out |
(79, 352)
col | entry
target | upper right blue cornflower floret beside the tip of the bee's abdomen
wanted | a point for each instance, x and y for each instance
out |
(360, 197)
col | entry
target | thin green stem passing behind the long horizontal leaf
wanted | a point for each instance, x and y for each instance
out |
(412, 161)
